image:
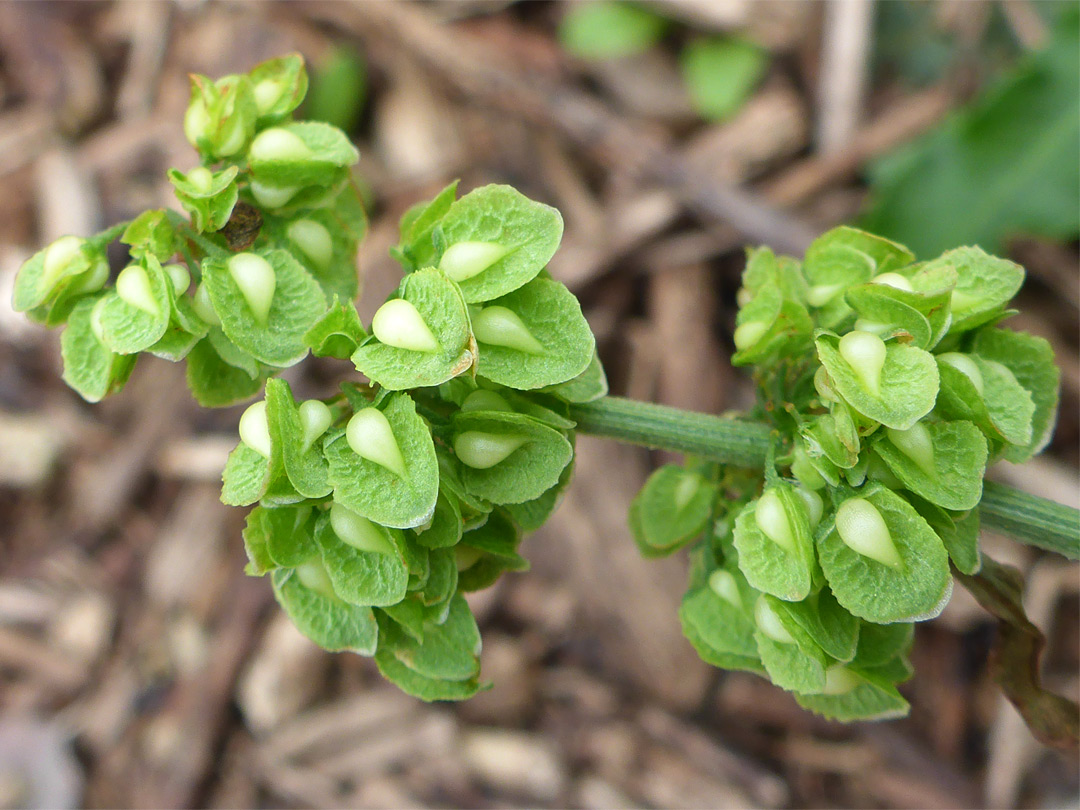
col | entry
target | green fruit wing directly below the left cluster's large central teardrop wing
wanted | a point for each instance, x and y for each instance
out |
(362, 577)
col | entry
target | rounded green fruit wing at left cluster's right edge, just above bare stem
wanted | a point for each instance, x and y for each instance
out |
(552, 316)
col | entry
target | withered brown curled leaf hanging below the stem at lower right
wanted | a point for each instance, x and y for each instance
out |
(1015, 660)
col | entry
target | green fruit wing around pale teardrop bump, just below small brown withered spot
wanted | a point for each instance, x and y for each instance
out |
(296, 306)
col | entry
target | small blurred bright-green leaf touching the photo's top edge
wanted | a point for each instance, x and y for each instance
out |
(610, 30)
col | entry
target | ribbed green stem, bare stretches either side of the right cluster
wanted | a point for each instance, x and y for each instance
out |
(1028, 518)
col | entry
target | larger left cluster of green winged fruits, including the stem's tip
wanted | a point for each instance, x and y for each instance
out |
(381, 507)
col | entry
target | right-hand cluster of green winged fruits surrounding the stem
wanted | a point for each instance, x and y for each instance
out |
(890, 388)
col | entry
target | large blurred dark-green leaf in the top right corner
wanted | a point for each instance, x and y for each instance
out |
(1008, 164)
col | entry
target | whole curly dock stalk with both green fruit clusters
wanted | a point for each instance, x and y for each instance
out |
(823, 524)
